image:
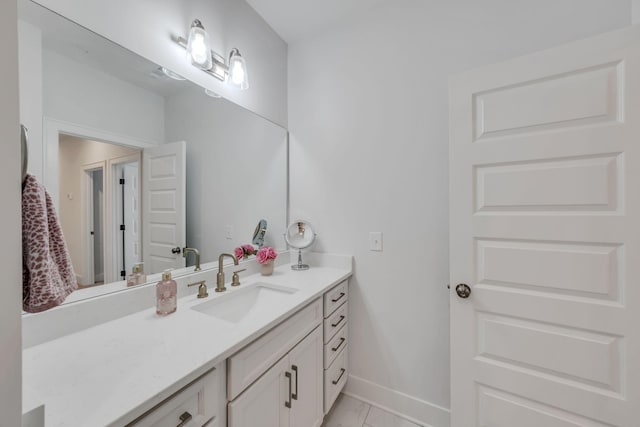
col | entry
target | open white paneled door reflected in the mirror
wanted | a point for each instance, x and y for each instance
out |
(164, 204)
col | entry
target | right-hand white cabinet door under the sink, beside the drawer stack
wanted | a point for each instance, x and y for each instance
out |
(306, 365)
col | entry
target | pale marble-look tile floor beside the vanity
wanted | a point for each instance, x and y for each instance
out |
(350, 412)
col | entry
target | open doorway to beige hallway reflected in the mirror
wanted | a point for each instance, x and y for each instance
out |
(99, 207)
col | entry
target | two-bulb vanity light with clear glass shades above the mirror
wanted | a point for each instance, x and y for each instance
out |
(200, 55)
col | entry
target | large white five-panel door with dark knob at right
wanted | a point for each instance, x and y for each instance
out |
(545, 232)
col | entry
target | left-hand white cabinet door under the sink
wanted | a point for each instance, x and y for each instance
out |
(263, 403)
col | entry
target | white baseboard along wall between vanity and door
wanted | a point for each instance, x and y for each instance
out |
(418, 411)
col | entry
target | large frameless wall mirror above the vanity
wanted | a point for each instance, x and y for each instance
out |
(140, 163)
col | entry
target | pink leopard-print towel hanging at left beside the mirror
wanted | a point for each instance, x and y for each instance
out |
(47, 273)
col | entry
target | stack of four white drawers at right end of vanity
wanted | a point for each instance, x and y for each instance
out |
(335, 331)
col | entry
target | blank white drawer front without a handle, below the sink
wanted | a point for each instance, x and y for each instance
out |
(244, 367)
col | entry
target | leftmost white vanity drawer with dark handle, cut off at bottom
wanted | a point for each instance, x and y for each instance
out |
(200, 403)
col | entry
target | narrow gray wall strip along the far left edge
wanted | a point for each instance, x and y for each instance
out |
(10, 252)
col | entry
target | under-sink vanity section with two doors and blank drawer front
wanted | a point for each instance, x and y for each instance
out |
(277, 380)
